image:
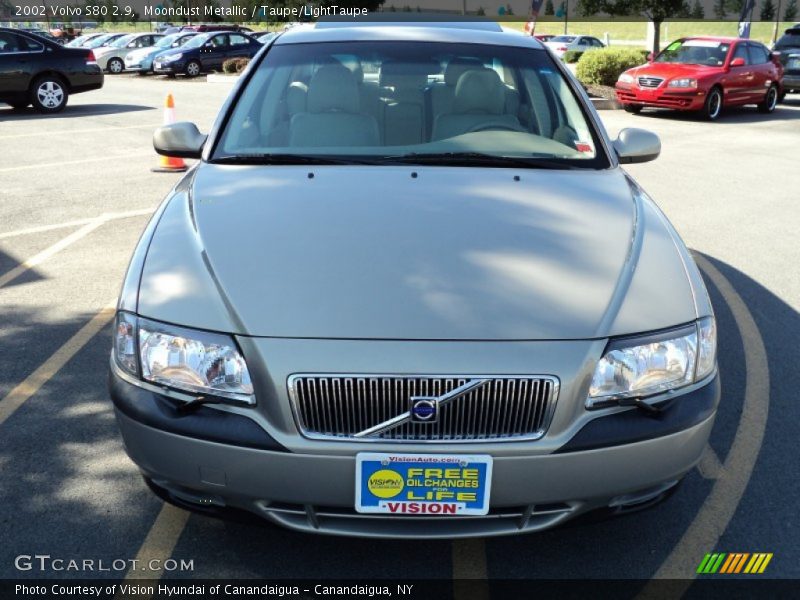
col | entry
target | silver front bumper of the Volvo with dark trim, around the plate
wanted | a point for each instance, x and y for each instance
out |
(217, 458)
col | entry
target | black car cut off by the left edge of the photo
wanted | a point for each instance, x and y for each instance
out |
(34, 70)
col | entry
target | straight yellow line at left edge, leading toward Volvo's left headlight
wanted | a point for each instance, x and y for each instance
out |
(52, 365)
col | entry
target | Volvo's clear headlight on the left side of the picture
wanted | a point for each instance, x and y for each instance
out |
(196, 362)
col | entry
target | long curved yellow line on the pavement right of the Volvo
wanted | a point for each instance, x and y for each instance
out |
(719, 507)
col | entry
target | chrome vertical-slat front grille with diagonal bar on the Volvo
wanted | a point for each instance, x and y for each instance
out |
(376, 407)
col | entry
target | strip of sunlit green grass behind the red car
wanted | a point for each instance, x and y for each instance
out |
(633, 31)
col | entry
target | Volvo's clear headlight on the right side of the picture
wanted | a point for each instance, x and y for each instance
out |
(653, 364)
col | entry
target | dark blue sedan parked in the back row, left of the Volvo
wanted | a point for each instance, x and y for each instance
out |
(206, 52)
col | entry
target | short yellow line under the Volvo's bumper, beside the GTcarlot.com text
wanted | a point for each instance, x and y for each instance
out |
(158, 545)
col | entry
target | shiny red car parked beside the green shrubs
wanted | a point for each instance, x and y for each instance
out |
(704, 74)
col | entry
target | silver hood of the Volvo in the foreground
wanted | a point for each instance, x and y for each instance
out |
(451, 253)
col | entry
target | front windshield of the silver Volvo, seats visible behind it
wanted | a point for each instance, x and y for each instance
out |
(410, 102)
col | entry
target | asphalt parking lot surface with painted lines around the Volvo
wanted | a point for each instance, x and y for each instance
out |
(75, 193)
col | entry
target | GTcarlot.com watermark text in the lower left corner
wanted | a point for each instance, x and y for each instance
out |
(47, 563)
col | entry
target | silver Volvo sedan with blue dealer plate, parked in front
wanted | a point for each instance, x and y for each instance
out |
(409, 291)
